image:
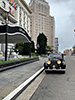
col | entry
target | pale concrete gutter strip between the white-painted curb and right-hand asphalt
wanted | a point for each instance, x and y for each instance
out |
(31, 89)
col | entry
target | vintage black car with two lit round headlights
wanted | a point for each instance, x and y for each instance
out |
(55, 62)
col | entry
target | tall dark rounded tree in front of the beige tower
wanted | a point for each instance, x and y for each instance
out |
(41, 44)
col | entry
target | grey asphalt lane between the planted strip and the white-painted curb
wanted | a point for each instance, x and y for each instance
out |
(11, 79)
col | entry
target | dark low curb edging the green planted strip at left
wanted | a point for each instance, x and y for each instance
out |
(17, 65)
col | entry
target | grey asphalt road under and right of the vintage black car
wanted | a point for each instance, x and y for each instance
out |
(58, 86)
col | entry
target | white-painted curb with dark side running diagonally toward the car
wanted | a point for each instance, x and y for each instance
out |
(14, 94)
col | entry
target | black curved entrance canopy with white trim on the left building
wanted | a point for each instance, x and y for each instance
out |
(15, 34)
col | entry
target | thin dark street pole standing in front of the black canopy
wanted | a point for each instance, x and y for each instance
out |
(6, 37)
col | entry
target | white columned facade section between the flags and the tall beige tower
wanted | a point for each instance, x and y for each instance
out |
(23, 15)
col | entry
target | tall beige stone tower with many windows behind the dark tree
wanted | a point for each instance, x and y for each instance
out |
(42, 22)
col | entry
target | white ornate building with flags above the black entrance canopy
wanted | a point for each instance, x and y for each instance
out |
(18, 14)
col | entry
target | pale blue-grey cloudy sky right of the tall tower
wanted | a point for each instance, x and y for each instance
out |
(64, 14)
